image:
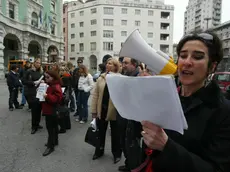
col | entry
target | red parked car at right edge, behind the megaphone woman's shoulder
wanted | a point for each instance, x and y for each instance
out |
(223, 80)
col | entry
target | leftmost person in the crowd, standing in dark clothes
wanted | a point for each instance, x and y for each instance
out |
(13, 84)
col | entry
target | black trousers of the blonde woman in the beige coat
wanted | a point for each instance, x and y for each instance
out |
(115, 136)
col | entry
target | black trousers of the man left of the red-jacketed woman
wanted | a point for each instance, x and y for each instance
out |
(35, 113)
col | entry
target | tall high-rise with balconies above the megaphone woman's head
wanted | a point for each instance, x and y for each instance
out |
(202, 15)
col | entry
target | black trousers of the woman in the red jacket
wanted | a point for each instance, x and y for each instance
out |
(52, 128)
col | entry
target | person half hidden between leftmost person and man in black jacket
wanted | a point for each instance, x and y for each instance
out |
(27, 66)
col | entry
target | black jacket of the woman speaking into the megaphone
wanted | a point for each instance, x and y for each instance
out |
(205, 146)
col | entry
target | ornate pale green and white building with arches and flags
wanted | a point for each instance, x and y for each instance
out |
(30, 28)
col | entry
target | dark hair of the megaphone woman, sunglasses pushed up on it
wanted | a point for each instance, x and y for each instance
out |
(215, 50)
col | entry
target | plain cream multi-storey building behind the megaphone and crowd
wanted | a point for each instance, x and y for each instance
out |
(97, 27)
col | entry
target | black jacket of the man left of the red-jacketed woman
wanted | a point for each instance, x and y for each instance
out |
(28, 80)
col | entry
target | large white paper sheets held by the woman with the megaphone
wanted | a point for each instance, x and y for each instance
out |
(150, 98)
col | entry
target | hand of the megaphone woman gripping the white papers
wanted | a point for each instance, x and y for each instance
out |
(154, 136)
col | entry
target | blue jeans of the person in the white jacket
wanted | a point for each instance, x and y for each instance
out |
(83, 105)
